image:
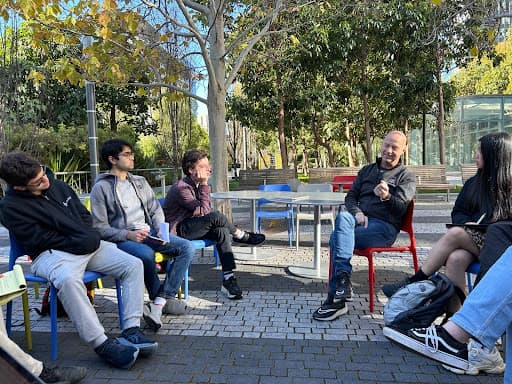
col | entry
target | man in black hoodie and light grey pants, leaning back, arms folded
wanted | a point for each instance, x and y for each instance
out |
(49, 221)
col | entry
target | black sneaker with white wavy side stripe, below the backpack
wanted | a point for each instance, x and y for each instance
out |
(433, 342)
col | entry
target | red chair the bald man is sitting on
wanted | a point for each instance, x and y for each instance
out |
(369, 252)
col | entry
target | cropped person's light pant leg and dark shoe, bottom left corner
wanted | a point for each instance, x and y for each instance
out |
(37, 368)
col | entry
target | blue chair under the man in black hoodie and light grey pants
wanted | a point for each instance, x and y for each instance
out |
(16, 250)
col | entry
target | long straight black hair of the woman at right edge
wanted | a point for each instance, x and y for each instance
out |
(491, 193)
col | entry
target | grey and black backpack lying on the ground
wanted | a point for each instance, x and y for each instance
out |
(418, 304)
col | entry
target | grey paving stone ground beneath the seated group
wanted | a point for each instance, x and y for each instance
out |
(269, 336)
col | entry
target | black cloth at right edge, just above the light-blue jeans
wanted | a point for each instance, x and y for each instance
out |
(497, 240)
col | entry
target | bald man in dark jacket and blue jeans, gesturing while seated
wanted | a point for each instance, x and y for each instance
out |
(375, 207)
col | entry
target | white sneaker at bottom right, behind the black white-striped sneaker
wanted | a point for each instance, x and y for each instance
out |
(480, 359)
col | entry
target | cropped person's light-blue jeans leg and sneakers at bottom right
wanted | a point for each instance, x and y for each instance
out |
(466, 342)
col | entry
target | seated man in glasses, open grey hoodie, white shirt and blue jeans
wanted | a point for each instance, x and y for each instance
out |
(126, 211)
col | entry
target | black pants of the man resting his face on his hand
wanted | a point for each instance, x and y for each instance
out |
(216, 227)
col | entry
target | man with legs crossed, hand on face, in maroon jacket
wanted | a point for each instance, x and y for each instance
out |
(188, 210)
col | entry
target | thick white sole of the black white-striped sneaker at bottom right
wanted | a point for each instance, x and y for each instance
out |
(422, 349)
